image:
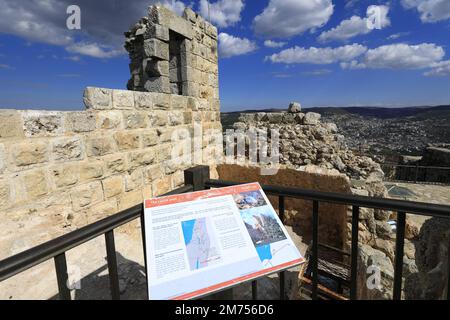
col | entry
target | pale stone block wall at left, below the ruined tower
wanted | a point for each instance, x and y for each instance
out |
(63, 170)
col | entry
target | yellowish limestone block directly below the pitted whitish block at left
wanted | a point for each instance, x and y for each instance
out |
(30, 152)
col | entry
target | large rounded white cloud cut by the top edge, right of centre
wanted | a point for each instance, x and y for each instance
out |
(287, 18)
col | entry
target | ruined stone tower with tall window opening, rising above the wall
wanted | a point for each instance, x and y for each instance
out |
(173, 54)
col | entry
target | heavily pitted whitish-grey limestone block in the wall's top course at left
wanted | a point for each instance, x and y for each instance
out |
(42, 123)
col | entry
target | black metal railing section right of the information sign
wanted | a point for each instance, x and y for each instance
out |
(400, 206)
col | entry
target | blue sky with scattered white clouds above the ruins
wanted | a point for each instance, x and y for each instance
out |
(322, 52)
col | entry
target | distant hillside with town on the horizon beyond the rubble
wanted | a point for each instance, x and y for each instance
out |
(381, 132)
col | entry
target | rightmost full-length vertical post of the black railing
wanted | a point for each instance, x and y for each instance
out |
(399, 251)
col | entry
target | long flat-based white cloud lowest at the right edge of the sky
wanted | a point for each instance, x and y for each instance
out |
(399, 56)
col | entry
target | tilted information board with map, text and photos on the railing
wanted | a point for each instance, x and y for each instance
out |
(202, 242)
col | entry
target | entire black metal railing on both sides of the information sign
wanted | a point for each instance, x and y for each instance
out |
(198, 179)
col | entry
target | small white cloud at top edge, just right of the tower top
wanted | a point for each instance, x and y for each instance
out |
(223, 13)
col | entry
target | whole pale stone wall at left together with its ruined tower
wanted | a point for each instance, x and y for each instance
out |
(63, 170)
